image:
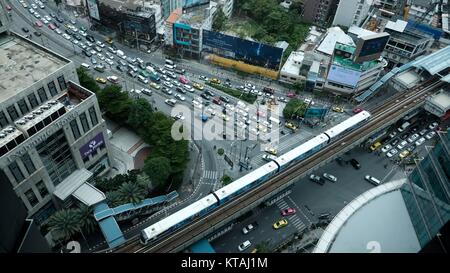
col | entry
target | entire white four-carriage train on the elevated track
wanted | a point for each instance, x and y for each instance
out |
(250, 180)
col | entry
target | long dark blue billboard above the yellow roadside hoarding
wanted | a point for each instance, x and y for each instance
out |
(249, 52)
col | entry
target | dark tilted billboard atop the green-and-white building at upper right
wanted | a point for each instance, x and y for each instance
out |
(370, 47)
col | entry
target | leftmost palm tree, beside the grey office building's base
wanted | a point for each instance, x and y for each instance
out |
(64, 223)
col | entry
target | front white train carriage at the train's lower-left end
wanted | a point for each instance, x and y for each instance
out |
(179, 218)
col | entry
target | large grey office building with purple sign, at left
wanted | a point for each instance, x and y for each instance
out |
(53, 140)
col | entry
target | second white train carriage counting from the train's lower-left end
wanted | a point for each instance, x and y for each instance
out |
(246, 182)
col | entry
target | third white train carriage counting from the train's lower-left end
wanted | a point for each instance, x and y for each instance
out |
(303, 151)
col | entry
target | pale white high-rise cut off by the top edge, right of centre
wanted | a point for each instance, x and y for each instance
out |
(351, 12)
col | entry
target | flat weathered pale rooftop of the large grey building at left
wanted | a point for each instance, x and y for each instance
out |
(23, 63)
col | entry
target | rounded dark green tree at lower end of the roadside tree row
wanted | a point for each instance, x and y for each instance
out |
(158, 170)
